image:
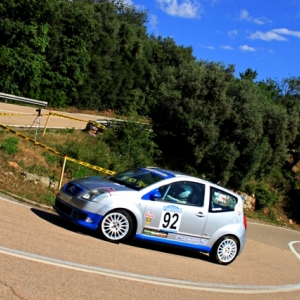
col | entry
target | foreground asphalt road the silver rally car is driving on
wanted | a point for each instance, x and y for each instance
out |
(43, 257)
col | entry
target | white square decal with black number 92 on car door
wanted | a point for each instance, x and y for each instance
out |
(170, 219)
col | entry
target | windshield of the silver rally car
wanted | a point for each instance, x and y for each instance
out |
(138, 179)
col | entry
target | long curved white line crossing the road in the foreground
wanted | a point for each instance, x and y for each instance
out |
(203, 286)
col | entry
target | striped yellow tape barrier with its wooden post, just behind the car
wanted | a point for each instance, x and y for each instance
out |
(26, 138)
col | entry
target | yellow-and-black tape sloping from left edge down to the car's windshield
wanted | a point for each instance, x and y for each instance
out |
(57, 153)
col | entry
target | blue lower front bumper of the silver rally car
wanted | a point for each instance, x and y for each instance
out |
(77, 216)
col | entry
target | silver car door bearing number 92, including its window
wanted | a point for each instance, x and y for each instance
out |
(180, 220)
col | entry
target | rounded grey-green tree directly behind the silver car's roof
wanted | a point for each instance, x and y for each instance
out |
(192, 106)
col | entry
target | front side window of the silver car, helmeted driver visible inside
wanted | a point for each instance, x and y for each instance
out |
(183, 192)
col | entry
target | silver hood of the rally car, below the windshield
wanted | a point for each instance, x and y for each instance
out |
(97, 182)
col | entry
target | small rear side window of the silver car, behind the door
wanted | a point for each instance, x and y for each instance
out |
(221, 201)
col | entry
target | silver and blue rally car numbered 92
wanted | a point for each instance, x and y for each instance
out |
(159, 206)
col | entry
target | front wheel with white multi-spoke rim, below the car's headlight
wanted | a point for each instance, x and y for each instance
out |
(116, 226)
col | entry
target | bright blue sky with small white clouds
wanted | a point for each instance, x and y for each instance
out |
(263, 35)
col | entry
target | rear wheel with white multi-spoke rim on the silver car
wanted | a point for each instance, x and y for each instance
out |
(225, 250)
